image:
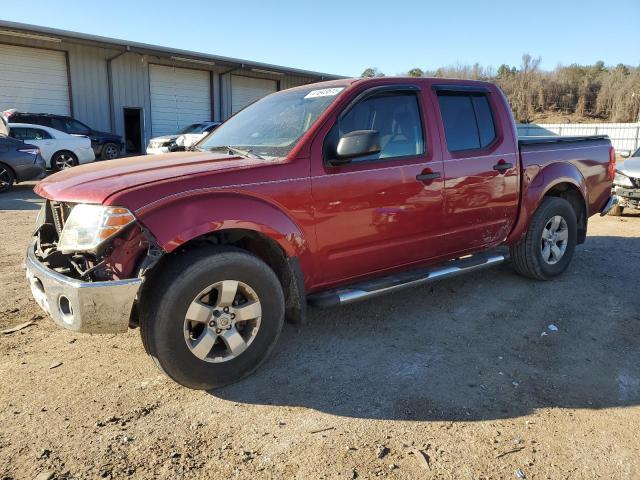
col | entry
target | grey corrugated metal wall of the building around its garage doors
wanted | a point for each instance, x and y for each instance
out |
(89, 78)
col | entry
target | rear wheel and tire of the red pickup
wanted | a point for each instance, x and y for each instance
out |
(547, 248)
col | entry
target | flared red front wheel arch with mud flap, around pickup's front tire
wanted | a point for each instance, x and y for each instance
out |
(248, 223)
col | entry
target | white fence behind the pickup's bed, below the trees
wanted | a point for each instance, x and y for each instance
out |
(625, 137)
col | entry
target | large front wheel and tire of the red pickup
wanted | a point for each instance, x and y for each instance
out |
(211, 317)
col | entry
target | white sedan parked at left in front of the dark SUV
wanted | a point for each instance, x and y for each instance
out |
(59, 150)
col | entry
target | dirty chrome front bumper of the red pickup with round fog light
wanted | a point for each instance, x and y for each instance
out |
(87, 307)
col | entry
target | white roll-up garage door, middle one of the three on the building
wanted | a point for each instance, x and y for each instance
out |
(179, 97)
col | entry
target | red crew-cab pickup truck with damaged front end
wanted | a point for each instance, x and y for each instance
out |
(322, 194)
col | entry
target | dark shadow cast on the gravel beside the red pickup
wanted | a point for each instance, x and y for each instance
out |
(472, 348)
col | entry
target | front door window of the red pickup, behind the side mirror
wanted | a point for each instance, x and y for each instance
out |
(396, 116)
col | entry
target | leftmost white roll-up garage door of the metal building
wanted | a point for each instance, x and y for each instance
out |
(34, 80)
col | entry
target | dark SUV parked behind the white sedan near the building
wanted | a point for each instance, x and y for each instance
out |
(106, 146)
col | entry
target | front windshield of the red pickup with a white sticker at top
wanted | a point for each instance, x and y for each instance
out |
(272, 126)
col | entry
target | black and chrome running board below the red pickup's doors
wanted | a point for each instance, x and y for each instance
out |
(380, 286)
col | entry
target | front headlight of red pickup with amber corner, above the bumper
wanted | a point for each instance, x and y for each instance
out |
(90, 225)
